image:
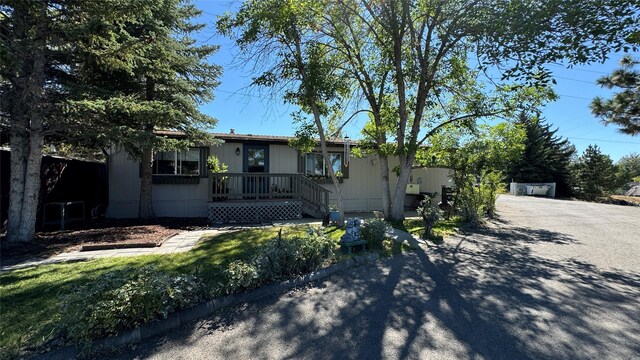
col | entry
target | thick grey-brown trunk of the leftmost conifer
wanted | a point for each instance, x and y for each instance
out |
(26, 122)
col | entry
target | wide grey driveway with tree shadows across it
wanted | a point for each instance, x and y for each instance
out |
(549, 280)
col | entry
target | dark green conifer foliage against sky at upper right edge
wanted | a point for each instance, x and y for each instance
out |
(623, 109)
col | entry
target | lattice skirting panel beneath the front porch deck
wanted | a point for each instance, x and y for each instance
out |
(251, 212)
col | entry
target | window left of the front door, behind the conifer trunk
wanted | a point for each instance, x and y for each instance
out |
(181, 162)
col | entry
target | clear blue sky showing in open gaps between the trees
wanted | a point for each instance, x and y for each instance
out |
(251, 112)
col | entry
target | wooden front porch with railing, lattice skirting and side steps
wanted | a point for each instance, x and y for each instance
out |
(258, 197)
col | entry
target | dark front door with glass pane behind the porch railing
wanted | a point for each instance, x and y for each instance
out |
(256, 160)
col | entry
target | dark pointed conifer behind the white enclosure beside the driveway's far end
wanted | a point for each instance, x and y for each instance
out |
(546, 158)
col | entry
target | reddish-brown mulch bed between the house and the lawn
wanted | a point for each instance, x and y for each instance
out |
(104, 233)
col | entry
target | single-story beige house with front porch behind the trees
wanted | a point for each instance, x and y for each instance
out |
(266, 179)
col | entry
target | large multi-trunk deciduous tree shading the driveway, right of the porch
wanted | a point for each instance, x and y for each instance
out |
(418, 51)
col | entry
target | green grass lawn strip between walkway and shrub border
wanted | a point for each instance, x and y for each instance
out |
(29, 299)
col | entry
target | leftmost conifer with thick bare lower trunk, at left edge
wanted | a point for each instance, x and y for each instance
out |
(39, 54)
